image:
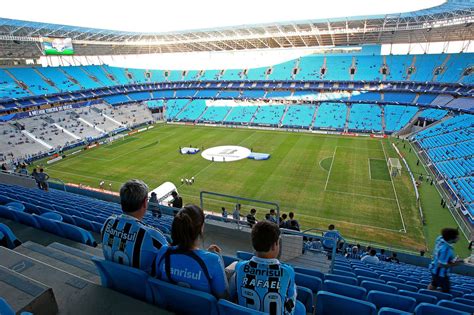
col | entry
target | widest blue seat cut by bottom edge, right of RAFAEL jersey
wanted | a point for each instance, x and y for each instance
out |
(328, 303)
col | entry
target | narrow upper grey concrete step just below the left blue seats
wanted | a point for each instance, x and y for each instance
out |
(83, 268)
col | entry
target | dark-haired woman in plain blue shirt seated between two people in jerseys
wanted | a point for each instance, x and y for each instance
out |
(184, 263)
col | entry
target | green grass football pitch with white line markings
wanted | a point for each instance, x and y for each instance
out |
(324, 179)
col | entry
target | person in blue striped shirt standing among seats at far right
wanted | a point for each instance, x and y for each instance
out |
(443, 259)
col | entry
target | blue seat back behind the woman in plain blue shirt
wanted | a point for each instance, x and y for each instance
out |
(182, 300)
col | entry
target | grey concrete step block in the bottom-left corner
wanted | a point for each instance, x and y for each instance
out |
(25, 294)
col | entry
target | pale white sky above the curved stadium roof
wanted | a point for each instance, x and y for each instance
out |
(176, 15)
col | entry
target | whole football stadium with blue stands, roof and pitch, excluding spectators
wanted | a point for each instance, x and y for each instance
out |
(365, 123)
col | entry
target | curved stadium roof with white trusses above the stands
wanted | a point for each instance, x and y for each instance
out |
(450, 21)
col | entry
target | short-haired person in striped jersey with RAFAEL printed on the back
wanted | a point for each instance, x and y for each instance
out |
(255, 280)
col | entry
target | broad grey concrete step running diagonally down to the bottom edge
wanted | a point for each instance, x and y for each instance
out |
(75, 295)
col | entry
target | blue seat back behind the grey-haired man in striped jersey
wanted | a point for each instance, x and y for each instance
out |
(127, 280)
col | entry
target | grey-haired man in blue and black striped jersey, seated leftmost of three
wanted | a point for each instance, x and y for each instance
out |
(125, 239)
